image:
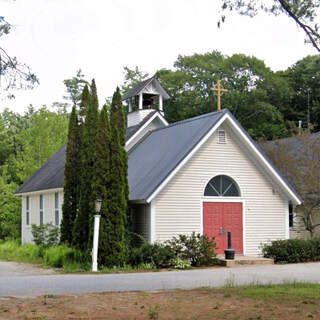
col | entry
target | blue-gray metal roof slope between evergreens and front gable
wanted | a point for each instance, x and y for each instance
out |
(153, 159)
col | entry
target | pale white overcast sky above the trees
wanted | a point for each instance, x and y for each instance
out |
(58, 37)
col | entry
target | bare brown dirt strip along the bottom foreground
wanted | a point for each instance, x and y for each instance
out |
(178, 304)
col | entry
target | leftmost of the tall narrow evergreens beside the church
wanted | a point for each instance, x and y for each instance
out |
(71, 180)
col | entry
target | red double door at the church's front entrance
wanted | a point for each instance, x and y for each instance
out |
(219, 218)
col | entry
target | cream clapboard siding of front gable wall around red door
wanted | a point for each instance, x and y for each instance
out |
(178, 207)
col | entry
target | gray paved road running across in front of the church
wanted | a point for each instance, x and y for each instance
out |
(213, 277)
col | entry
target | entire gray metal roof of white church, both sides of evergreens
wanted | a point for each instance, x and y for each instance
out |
(150, 161)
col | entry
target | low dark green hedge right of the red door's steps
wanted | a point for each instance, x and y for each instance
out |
(293, 250)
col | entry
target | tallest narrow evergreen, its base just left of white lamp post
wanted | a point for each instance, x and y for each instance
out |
(81, 229)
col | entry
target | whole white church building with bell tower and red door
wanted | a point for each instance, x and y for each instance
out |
(203, 174)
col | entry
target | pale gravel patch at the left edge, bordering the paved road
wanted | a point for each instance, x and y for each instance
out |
(15, 269)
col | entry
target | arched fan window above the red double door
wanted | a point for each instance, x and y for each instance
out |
(222, 186)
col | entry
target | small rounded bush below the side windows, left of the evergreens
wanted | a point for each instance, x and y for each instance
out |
(45, 235)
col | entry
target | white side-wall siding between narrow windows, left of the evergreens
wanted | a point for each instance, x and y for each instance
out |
(34, 209)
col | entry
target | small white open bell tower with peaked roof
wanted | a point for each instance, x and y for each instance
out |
(144, 98)
